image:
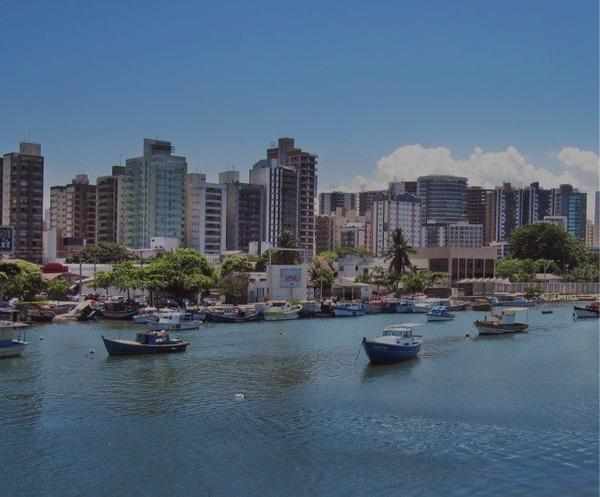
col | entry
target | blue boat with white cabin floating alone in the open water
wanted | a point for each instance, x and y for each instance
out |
(397, 343)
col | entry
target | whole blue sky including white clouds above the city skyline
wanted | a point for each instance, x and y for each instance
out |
(379, 90)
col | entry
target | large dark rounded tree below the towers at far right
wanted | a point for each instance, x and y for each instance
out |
(547, 241)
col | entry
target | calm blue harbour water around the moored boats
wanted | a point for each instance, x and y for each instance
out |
(508, 415)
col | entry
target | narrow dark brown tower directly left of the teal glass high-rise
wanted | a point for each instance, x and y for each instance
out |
(108, 189)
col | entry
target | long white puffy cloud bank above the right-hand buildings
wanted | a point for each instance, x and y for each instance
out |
(487, 169)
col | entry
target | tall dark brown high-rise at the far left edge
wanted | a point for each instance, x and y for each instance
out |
(22, 199)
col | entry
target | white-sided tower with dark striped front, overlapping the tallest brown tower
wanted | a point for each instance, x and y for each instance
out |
(280, 191)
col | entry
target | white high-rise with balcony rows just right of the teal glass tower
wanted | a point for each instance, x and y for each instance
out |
(205, 215)
